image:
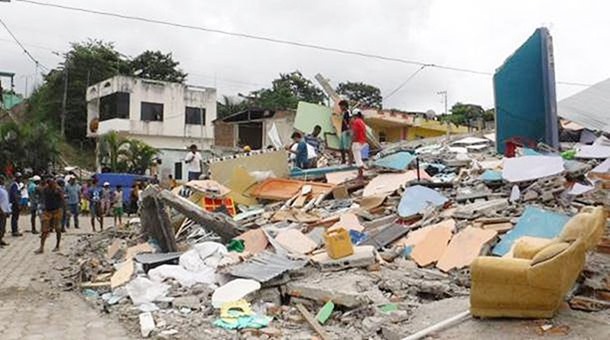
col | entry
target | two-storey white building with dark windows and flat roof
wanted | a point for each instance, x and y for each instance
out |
(167, 116)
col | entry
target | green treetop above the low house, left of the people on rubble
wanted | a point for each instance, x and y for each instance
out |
(287, 91)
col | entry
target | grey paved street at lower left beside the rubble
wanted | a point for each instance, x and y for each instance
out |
(30, 308)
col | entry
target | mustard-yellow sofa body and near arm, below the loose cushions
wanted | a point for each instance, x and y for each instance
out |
(523, 288)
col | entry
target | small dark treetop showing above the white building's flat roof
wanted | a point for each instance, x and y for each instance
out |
(158, 66)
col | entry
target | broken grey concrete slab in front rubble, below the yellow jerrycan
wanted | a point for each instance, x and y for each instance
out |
(346, 288)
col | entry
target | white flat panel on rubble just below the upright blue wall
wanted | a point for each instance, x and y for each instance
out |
(527, 168)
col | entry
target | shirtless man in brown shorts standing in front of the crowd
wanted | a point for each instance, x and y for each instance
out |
(53, 199)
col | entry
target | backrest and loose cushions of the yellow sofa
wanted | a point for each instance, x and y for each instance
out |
(589, 224)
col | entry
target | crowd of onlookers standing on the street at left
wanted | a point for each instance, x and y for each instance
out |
(55, 200)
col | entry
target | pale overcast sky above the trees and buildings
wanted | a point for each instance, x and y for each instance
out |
(473, 34)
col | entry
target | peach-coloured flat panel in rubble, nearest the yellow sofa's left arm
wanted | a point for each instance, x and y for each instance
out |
(464, 247)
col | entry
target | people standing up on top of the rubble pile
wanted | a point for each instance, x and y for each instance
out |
(352, 141)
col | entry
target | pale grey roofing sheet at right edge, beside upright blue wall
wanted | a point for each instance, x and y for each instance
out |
(589, 108)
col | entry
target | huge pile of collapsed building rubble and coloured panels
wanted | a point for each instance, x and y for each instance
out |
(322, 252)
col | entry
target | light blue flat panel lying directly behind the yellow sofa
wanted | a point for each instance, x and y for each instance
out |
(534, 222)
